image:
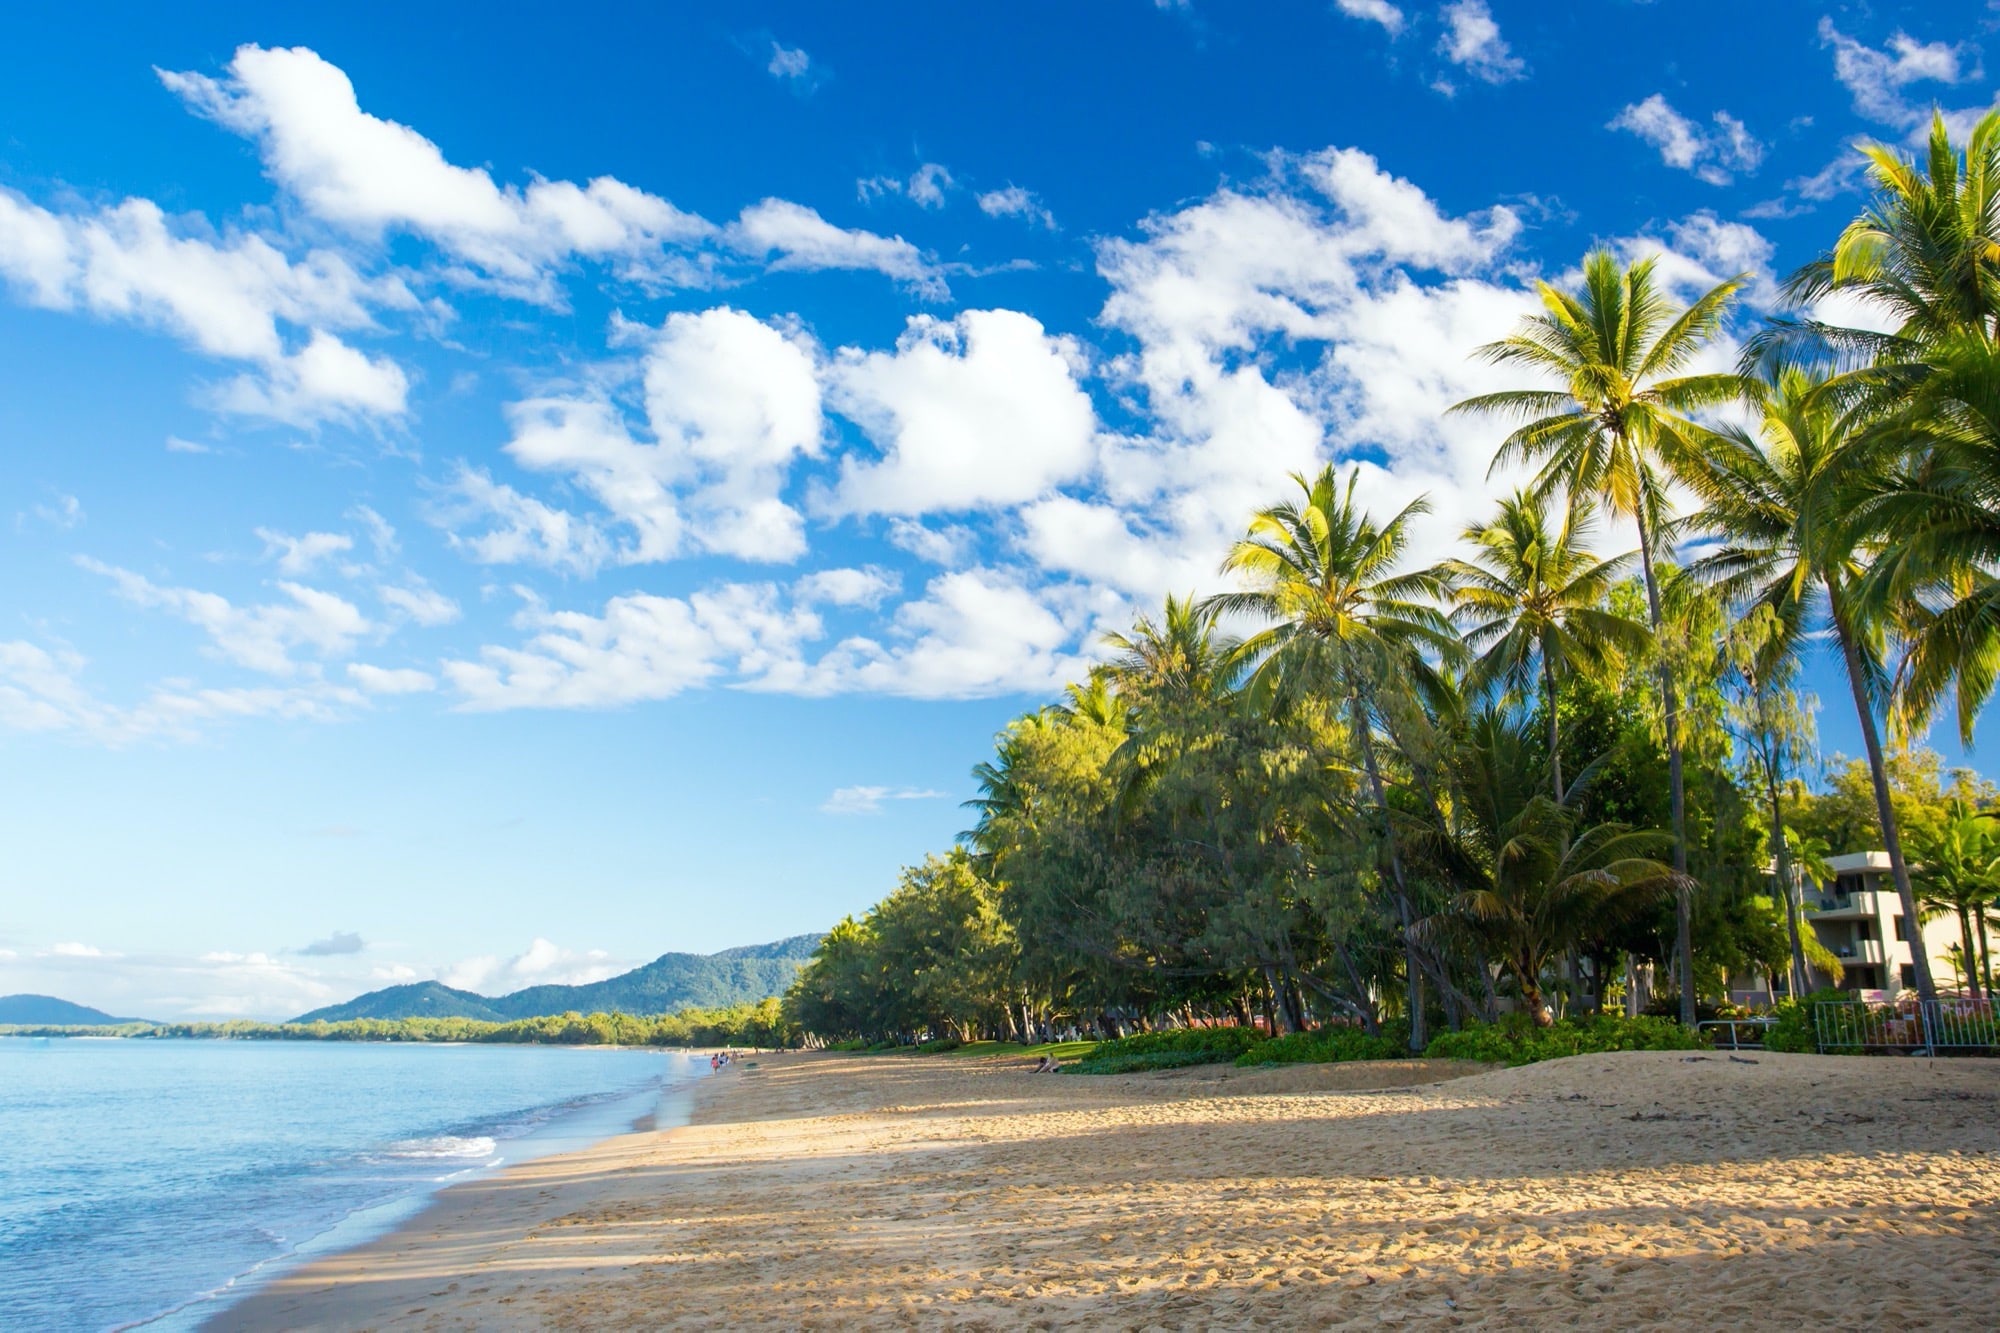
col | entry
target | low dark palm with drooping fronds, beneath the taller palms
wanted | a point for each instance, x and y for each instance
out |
(1541, 878)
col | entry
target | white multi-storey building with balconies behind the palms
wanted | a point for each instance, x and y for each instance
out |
(1859, 918)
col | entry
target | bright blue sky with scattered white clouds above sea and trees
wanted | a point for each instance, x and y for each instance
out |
(503, 497)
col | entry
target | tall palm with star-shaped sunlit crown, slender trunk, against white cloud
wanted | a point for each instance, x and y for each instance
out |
(1613, 425)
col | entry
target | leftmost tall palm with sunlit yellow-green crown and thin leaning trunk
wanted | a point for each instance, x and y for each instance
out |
(1339, 615)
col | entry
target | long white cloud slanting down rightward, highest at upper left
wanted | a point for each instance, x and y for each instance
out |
(373, 175)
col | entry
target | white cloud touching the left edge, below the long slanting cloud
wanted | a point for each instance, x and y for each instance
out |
(233, 299)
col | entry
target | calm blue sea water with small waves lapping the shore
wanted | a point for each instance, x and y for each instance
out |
(145, 1182)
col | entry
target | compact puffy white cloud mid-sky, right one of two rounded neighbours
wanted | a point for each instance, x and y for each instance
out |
(971, 413)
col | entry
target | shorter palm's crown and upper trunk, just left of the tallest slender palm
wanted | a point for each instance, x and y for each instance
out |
(1531, 603)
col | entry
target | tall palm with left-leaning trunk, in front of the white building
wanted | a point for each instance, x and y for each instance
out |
(1785, 507)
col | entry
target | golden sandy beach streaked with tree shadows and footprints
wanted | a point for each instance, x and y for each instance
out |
(1639, 1190)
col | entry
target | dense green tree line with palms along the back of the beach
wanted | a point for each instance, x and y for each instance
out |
(1533, 776)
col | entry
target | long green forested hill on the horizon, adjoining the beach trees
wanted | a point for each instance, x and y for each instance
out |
(669, 984)
